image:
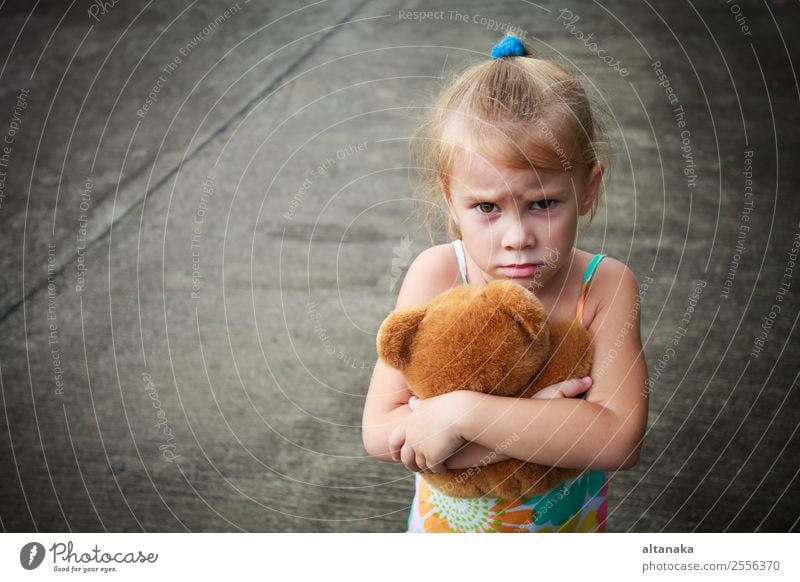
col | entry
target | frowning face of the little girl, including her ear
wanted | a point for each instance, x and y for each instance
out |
(519, 224)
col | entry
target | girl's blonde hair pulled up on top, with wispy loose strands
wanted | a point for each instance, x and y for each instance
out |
(518, 111)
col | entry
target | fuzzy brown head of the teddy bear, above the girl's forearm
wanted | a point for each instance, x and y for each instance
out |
(491, 339)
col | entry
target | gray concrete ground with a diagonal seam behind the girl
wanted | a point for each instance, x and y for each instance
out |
(206, 212)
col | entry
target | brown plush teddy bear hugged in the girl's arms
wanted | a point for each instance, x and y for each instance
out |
(496, 340)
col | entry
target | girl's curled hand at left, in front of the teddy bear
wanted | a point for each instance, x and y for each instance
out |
(430, 435)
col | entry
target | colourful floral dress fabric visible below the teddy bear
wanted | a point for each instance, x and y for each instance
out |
(577, 505)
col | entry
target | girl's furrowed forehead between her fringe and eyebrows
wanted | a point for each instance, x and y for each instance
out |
(471, 170)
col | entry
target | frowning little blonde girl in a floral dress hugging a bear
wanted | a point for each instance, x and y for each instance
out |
(513, 150)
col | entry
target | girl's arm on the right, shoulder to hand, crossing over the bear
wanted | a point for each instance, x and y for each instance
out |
(602, 432)
